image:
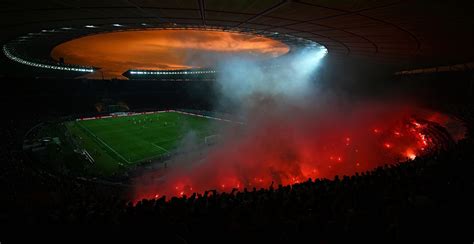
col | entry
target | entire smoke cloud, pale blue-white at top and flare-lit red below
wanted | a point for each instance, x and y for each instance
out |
(291, 133)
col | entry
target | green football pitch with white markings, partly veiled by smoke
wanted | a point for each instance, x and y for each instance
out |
(121, 142)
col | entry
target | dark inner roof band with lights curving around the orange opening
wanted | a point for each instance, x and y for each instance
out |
(34, 48)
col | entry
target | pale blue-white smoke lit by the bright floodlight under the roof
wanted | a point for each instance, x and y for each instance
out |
(289, 77)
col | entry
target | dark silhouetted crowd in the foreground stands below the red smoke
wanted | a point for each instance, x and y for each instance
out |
(430, 194)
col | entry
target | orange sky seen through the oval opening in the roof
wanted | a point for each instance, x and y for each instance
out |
(117, 52)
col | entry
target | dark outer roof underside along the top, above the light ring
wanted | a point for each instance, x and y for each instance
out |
(404, 33)
